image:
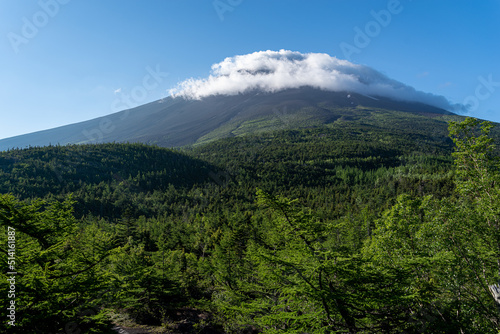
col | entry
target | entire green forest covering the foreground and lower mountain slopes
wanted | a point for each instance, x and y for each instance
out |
(311, 230)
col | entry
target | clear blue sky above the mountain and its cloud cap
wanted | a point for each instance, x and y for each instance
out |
(64, 61)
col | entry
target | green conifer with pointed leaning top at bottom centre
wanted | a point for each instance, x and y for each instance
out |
(303, 282)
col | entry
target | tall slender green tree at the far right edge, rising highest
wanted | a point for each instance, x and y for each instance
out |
(475, 233)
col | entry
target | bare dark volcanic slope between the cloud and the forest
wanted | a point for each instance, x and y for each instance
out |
(176, 122)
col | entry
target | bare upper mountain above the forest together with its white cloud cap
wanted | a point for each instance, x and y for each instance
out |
(262, 91)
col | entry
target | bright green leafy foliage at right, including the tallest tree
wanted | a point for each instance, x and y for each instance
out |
(451, 244)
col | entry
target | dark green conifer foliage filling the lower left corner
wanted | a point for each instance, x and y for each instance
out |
(58, 282)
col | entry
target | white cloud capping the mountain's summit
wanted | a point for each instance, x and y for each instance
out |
(272, 71)
